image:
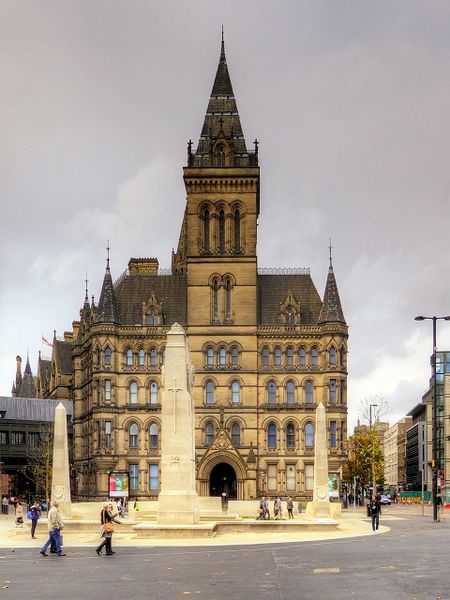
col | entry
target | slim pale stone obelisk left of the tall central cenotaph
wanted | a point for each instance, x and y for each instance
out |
(60, 472)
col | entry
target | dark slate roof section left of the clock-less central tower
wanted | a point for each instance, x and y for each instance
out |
(170, 290)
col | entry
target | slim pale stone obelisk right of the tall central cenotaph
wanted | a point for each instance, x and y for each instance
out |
(320, 506)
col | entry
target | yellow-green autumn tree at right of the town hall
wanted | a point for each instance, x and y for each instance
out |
(365, 454)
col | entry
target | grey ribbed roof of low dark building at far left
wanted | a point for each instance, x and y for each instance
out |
(32, 409)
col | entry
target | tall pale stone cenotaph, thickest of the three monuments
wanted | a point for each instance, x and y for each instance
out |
(178, 497)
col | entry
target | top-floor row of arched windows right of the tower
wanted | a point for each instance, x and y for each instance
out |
(291, 357)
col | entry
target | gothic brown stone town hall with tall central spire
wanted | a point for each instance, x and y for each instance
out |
(265, 346)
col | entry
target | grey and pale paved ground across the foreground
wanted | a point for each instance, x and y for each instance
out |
(407, 560)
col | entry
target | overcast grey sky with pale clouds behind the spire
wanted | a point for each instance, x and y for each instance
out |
(350, 101)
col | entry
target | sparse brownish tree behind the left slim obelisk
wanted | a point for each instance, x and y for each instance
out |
(39, 465)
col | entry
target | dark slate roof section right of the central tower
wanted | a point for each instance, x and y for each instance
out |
(273, 290)
